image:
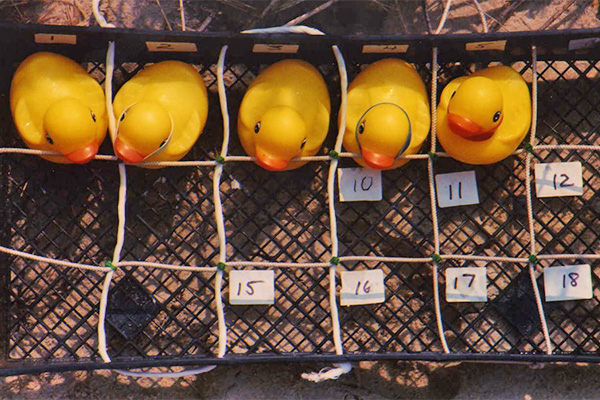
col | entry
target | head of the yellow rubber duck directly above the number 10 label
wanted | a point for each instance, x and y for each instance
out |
(383, 133)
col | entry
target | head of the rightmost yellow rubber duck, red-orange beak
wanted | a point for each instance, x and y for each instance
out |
(475, 109)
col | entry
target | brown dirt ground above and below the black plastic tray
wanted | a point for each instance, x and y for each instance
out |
(384, 380)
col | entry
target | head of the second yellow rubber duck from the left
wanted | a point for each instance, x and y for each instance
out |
(144, 129)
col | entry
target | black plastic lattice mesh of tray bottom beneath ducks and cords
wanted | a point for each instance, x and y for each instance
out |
(70, 213)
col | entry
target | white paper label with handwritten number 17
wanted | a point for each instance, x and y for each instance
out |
(468, 284)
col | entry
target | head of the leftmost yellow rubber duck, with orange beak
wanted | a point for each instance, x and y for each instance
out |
(70, 128)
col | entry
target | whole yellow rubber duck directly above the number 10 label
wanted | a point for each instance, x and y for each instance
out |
(387, 114)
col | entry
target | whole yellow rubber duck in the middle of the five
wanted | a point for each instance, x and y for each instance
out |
(284, 114)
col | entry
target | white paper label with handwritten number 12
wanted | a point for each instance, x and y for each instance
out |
(558, 179)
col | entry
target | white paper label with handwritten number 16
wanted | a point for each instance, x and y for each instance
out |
(362, 287)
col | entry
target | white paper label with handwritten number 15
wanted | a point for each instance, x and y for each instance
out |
(251, 287)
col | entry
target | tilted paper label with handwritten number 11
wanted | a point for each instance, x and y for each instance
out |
(456, 189)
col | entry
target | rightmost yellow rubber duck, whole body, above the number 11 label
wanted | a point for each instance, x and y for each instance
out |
(482, 118)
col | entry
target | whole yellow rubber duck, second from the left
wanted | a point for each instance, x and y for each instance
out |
(160, 113)
